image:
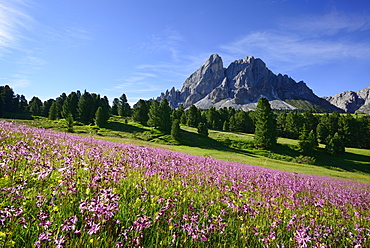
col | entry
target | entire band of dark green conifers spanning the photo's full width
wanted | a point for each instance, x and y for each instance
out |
(334, 130)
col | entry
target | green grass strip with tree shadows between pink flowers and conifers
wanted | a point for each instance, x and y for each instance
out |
(229, 146)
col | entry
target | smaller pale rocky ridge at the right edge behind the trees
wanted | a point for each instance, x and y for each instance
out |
(352, 102)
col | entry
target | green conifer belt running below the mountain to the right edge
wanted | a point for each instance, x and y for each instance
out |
(334, 130)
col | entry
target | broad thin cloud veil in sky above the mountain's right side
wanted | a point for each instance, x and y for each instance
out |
(306, 41)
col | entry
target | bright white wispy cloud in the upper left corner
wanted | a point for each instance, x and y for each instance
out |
(13, 19)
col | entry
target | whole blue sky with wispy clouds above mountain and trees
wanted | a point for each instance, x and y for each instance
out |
(141, 48)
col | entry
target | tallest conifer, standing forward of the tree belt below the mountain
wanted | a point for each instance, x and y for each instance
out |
(265, 135)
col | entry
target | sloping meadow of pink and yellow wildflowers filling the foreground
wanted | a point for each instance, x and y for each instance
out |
(63, 190)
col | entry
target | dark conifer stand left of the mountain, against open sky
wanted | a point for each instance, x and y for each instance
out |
(86, 107)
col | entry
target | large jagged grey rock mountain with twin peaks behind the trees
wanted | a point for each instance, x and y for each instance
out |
(239, 86)
